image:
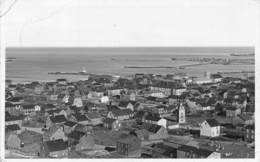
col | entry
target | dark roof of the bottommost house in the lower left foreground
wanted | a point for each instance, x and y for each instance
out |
(56, 145)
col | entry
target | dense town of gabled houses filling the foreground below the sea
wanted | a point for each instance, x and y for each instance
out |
(143, 116)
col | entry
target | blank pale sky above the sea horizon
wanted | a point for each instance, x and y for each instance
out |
(115, 23)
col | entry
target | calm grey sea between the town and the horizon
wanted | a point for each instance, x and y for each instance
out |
(34, 63)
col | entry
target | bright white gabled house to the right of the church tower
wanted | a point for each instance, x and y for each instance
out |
(210, 128)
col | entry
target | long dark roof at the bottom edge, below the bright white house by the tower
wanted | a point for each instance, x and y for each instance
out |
(195, 150)
